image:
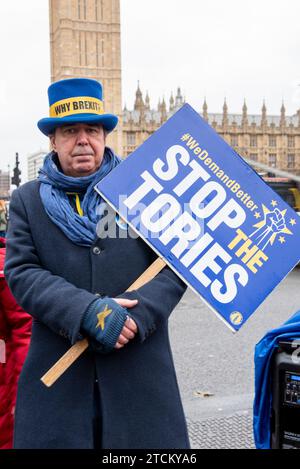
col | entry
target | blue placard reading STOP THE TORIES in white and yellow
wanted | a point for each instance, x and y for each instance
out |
(215, 222)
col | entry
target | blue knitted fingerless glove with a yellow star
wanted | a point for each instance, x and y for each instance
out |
(103, 321)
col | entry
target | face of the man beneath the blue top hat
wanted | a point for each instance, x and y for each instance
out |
(80, 148)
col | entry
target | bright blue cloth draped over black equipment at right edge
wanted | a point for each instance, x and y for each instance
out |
(263, 394)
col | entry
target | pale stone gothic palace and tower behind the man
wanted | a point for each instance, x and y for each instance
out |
(86, 42)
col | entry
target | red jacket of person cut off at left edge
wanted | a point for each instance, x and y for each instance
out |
(15, 327)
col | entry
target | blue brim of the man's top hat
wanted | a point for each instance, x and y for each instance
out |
(48, 125)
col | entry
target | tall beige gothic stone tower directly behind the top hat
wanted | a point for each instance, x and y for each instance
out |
(85, 42)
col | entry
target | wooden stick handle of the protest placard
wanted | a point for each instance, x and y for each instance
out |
(77, 349)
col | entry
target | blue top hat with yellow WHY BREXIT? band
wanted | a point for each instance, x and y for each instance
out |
(73, 101)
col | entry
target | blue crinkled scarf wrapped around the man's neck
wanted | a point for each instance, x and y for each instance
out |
(54, 186)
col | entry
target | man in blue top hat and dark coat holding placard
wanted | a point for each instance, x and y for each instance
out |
(122, 392)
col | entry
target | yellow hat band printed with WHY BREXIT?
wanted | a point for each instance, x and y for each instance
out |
(78, 105)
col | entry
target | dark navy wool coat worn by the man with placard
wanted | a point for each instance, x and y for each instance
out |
(55, 281)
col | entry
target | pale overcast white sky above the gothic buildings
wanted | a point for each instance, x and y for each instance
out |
(215, 49)
